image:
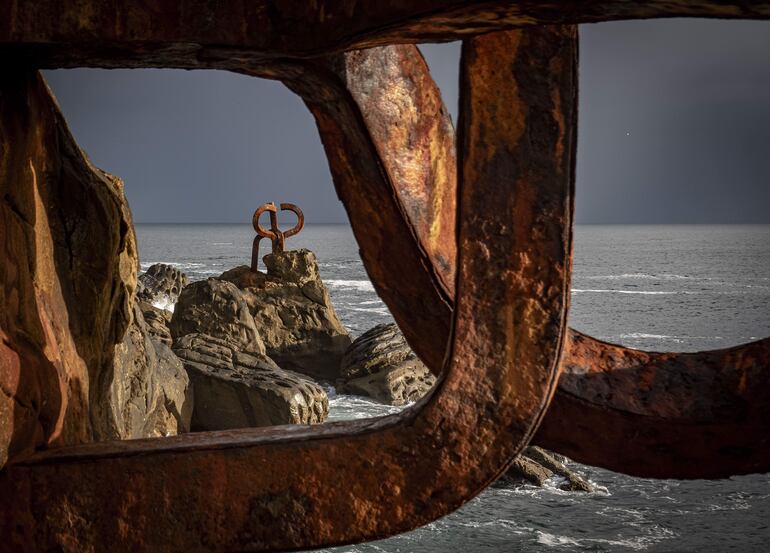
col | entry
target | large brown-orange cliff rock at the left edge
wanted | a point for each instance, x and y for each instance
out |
(68, 267)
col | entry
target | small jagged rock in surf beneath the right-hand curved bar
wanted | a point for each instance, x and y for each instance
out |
(536, 465)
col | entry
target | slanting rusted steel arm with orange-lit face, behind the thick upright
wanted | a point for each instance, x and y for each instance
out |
(364, 182)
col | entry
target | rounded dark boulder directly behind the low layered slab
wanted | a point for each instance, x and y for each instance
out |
(216, 308)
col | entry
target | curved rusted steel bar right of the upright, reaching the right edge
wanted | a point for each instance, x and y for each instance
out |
(662, 415)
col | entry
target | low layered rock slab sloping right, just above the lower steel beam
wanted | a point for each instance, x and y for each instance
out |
(235, 389)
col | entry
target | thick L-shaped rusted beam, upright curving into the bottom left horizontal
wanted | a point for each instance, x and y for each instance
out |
(288, 488)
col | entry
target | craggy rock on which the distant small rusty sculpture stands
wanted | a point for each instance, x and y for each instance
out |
(294, 314)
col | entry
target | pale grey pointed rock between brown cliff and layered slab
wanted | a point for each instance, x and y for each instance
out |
(147, 393)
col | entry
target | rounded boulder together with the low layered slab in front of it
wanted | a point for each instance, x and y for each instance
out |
(235, 383)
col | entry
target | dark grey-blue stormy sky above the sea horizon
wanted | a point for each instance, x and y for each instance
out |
(674, 127)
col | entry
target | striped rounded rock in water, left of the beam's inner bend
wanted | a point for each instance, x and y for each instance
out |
(380, 365)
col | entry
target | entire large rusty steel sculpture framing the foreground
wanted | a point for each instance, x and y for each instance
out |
(484, 232)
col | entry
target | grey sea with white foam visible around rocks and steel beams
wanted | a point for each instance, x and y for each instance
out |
(661, 288)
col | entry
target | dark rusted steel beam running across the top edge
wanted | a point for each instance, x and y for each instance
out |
(186, 33)
